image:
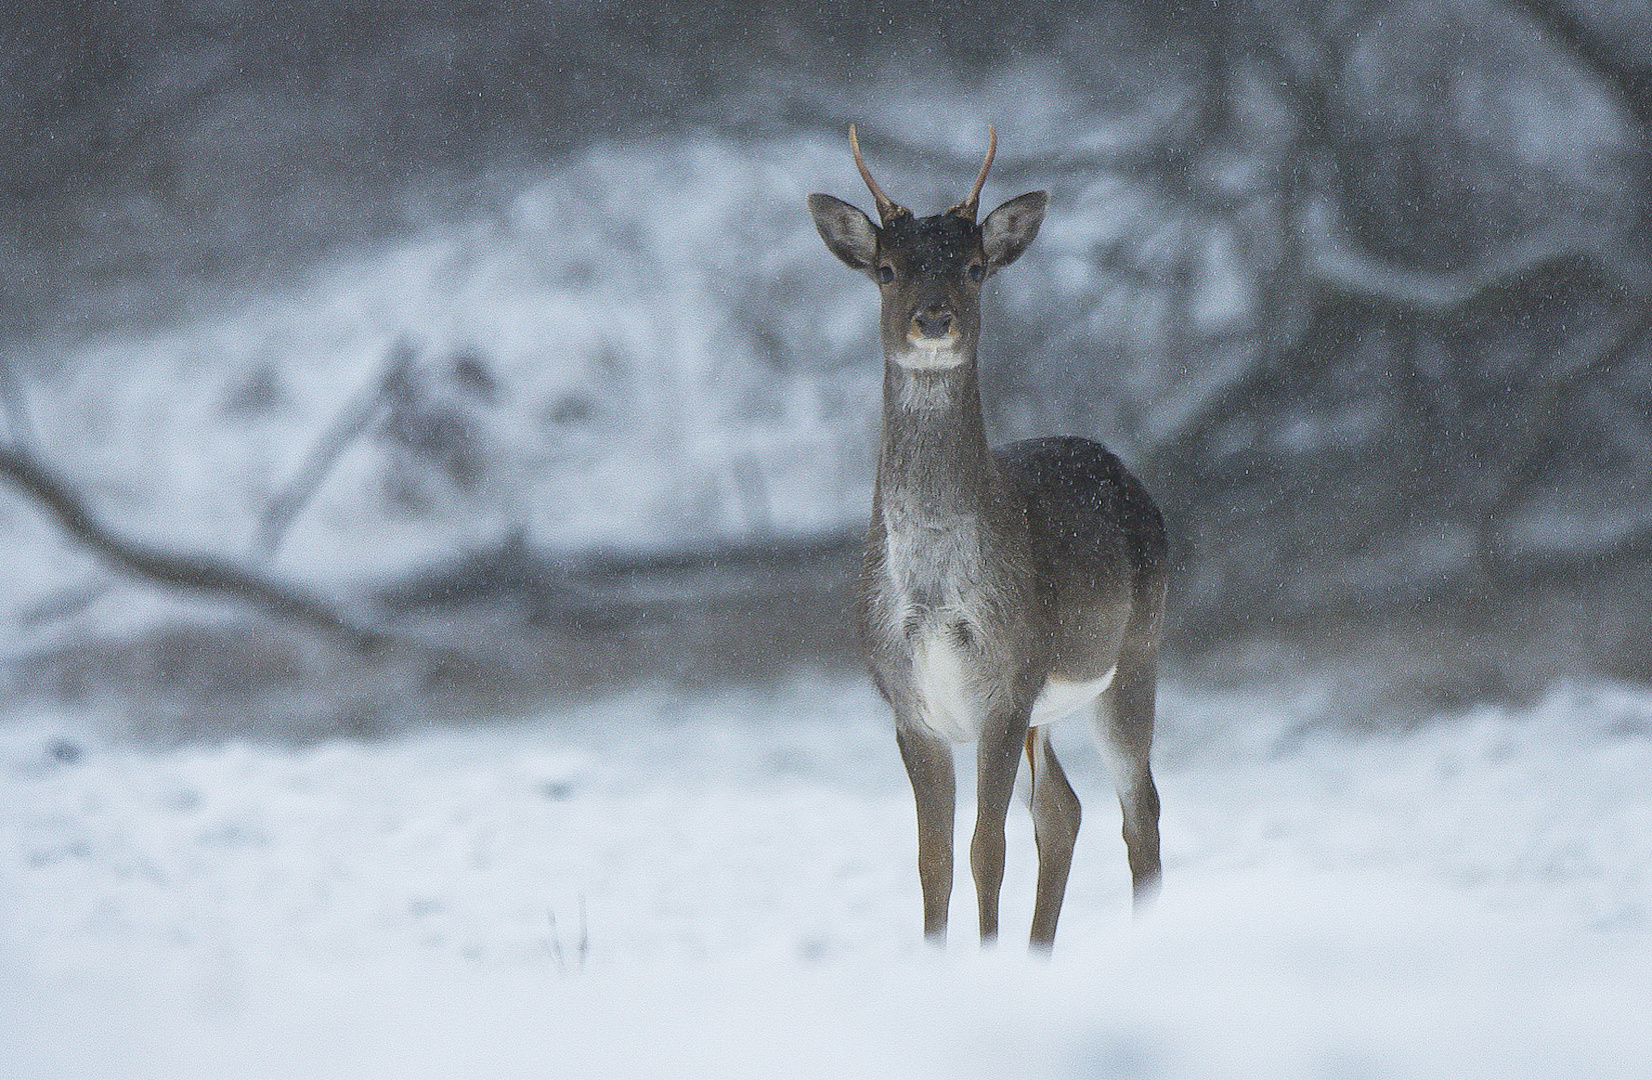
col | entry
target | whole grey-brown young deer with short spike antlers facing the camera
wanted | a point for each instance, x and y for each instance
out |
(1005, 590)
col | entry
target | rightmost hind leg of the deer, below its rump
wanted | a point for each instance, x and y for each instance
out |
(1124, 721)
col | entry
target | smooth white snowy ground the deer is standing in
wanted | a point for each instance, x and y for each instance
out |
(1469, 899)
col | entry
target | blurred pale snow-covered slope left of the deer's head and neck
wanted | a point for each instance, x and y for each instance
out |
(630, 379)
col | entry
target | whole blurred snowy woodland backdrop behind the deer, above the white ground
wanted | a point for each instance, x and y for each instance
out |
(501, 333)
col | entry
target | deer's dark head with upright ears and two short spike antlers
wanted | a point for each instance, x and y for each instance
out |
(929, 270)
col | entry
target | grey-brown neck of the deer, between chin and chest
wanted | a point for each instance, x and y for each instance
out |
(936, 467)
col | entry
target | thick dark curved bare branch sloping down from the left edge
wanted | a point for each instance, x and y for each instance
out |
(191, 572)
